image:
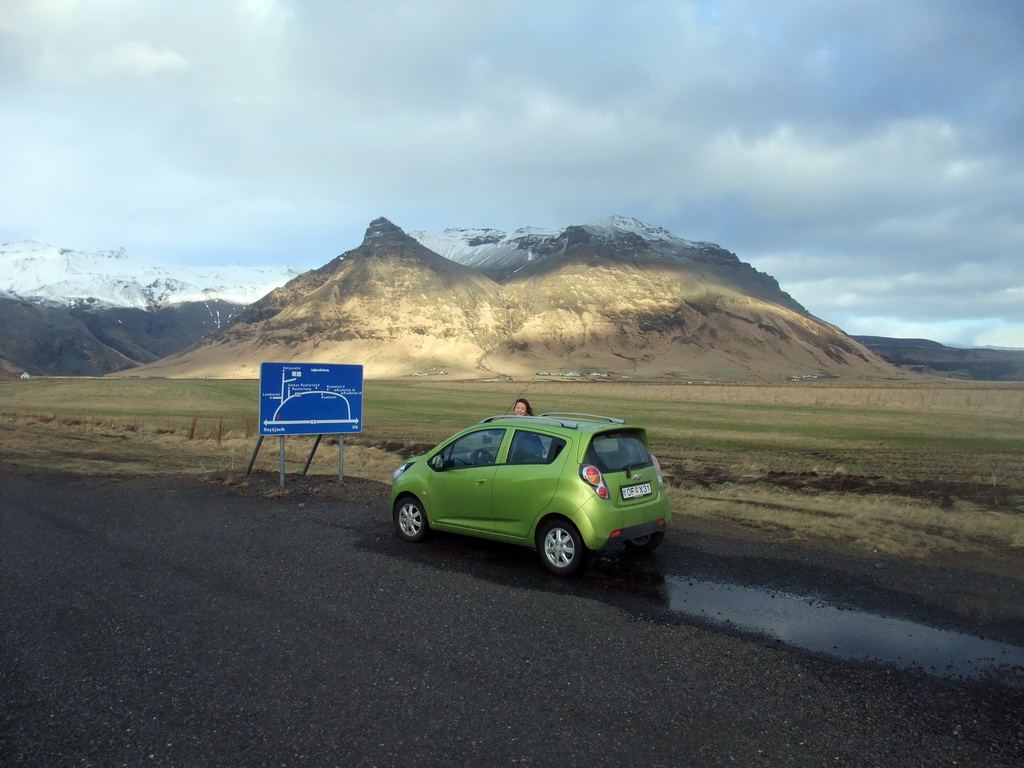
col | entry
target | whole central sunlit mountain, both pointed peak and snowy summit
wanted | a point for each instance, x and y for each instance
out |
(617, 297)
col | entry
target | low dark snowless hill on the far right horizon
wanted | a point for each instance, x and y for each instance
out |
(921, 356)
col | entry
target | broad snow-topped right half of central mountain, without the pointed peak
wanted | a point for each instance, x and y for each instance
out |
(620, 295)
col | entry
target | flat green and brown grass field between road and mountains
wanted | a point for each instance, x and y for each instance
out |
(907, 471)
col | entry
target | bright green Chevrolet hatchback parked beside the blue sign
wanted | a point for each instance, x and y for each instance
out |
(563, 484)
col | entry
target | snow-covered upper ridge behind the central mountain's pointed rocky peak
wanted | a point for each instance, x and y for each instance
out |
(502, 254)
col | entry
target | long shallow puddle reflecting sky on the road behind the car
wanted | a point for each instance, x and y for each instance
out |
(847, 633)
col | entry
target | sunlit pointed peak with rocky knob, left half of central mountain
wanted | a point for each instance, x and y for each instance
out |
(392, 306)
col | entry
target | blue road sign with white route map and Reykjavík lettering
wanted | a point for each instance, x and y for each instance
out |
(310, 399)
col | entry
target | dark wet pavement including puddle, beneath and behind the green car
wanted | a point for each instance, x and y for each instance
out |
(802, 621)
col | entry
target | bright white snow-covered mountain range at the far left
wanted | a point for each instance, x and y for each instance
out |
(48, 275)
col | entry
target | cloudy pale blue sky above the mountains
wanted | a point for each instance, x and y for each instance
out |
(867, 154)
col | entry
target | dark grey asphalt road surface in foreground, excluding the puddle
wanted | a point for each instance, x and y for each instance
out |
(180, 623)
